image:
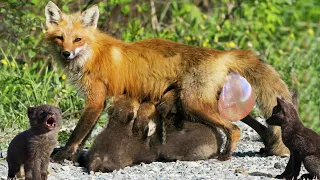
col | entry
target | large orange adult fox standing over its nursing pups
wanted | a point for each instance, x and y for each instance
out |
(103, 66)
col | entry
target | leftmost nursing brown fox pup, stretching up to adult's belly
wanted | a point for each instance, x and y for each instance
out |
(116, 146)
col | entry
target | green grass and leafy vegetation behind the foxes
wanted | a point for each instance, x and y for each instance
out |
(285, 33)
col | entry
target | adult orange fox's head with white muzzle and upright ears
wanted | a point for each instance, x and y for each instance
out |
(69, 35)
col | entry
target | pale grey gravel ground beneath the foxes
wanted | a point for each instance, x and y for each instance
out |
(245, 163)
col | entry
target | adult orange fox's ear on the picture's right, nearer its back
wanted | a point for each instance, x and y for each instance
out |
(90, 16)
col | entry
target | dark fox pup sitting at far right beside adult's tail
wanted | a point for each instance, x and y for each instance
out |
(304, 144)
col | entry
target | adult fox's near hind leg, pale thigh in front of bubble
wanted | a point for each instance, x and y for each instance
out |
(199, 96)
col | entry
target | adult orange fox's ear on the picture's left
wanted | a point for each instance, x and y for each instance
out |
(53, 14)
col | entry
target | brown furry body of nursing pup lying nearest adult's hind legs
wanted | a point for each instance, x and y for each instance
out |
(195, 141)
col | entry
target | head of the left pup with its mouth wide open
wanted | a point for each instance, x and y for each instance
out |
(44, 118)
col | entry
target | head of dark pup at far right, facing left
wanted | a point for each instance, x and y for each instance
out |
(283, 113)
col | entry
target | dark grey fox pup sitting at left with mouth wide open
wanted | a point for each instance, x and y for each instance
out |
(32, 148)
